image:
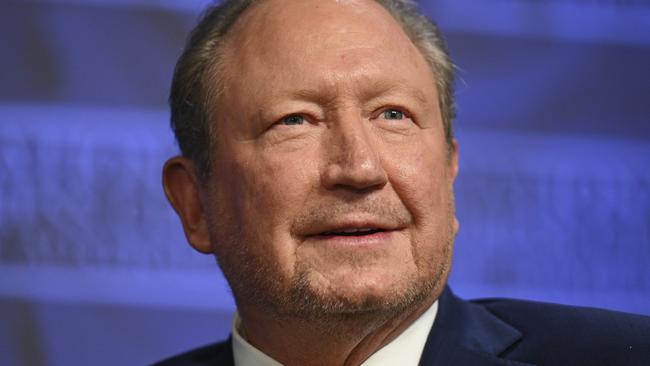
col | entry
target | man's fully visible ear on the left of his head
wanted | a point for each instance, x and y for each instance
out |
(183, 192)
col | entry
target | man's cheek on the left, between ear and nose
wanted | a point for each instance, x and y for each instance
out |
(258, 198)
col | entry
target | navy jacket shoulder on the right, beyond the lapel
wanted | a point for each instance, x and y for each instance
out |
(560, 334)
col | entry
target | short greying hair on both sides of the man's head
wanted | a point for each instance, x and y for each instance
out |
(196, 76)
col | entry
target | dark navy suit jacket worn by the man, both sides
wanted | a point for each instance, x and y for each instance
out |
(502, 332)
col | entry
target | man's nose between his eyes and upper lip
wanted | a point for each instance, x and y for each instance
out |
(353, 159)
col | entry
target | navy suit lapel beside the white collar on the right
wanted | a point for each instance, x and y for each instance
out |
(467, 334)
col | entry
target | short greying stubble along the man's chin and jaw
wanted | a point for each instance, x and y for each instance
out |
(256, 284)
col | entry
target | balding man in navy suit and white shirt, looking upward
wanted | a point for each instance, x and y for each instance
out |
(317, 165)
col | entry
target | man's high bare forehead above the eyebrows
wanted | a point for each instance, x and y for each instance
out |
(285, 43)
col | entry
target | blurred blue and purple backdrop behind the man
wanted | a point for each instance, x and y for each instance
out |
(553, 194)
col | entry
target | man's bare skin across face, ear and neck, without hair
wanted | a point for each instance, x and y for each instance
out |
(328, 121)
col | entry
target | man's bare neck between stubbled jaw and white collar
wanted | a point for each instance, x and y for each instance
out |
(347, 339)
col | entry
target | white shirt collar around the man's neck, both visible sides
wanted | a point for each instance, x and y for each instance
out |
(404, 350)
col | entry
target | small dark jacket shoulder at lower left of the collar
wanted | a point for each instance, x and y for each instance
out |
(215, 354)
